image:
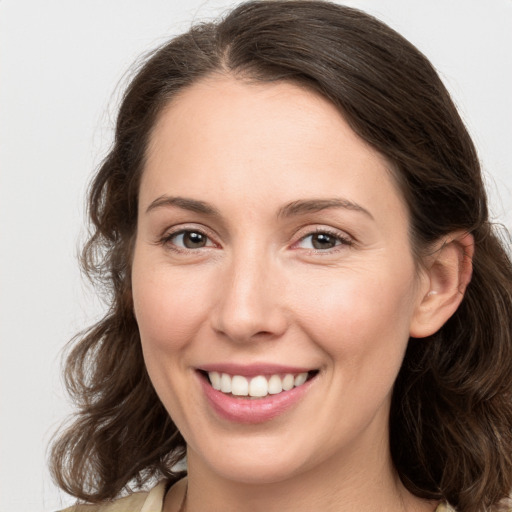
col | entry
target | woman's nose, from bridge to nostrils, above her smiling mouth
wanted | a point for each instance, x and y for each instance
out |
(251, 302)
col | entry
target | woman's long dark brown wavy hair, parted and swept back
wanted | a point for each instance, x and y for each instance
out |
(451, 415)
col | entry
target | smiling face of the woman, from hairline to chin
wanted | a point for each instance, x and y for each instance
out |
(272, 259)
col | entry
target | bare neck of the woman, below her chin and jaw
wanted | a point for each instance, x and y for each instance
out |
(373, 485)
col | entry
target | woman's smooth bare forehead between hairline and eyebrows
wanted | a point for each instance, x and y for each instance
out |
(221, 137)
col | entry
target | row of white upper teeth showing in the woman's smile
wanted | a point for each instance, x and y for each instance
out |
(259, 386)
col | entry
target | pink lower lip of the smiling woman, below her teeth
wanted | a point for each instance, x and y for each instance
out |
(256, 410)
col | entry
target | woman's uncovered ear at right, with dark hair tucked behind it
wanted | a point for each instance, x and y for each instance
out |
(447, 274)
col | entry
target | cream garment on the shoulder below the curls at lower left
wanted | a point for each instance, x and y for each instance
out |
(148, 501)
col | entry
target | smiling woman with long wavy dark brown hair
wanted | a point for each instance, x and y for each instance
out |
(308, 299)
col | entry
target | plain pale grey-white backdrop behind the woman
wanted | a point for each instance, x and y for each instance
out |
(62, 66)
